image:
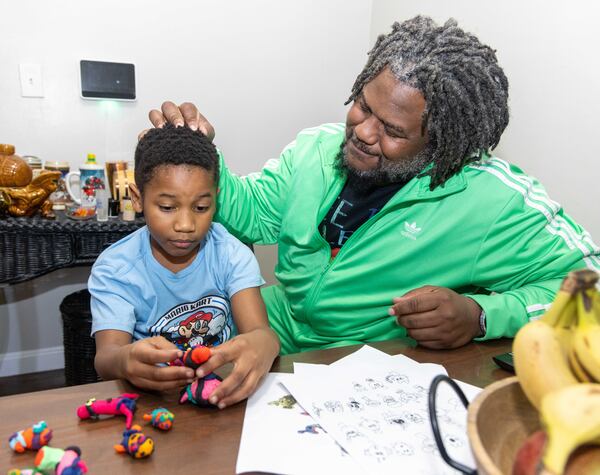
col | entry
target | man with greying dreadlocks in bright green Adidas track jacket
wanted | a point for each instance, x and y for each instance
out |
(401, 222)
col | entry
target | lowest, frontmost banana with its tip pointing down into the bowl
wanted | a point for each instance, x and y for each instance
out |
(571, 418)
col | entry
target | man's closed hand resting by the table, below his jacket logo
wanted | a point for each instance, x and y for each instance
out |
(437, 317)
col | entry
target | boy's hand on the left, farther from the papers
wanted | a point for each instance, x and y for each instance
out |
(139, 364)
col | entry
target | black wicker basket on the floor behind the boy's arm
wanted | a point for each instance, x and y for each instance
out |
(80, 347)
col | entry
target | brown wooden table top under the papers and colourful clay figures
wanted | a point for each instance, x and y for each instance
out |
(202, 440)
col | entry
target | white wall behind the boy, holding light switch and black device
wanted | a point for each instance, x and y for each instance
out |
(260, 70)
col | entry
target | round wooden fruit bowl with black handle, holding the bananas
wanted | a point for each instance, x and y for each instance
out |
(498, 422)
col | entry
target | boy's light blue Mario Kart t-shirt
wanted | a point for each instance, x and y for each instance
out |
(132, 292)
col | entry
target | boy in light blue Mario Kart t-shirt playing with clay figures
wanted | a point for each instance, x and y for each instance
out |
(179, 281)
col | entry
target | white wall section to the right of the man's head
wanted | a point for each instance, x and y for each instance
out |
(549, 51)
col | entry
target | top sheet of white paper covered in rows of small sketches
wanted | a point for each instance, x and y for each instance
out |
(375, 406)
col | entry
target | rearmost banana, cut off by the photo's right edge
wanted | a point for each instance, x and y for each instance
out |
(586, 339)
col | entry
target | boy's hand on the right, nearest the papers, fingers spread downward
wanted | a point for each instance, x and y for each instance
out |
(252, 355)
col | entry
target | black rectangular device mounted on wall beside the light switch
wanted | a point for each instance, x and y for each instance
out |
(104, 80)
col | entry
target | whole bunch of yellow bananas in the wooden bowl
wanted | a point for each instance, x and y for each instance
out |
(557, 361)
